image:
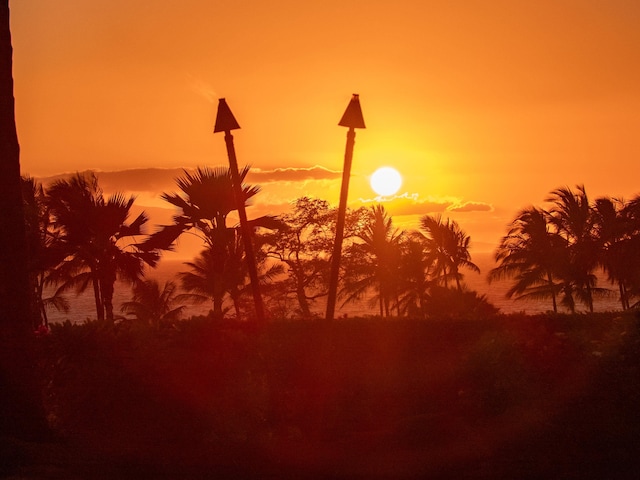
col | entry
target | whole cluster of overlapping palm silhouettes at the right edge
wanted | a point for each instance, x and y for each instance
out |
(558, 252)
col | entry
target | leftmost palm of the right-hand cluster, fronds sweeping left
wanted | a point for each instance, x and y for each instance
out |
(531, 254)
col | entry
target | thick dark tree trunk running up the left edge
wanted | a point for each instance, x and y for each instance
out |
(20, 400)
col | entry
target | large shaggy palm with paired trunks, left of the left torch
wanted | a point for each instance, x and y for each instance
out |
(98, 241)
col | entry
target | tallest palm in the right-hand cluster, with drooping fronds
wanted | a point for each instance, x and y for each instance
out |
(571, 216)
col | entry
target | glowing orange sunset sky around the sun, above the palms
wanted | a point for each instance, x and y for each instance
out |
(483, 106)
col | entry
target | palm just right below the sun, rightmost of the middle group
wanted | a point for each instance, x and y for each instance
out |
(448, 248)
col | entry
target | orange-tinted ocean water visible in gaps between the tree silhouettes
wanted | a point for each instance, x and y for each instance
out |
(83, 307)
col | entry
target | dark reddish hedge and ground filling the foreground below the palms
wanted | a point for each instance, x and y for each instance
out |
(506, 397)
